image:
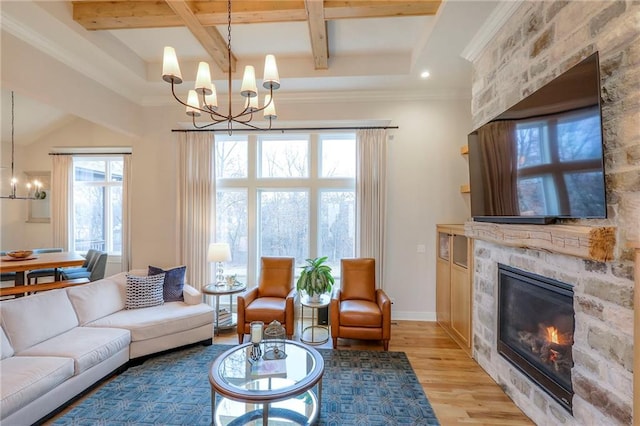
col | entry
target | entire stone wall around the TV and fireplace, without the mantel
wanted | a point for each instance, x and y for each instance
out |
(540, 41)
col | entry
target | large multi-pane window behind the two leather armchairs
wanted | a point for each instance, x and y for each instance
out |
(285, 195)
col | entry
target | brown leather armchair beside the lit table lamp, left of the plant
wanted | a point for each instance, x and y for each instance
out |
(272, 299)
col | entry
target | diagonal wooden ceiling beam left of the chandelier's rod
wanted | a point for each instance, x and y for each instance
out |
(209, 37)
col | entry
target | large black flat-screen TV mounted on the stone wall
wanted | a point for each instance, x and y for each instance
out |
(542, 159)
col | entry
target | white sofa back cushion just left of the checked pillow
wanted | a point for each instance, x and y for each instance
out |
(97, 299)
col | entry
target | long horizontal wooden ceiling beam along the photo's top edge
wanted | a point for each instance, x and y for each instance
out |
(122, 14)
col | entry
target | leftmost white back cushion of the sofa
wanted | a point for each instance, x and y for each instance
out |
(34, 319)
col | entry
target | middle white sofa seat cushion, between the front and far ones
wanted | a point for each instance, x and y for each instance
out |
(87, 346)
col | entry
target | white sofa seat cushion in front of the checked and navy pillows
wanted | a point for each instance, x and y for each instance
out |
(158, 321)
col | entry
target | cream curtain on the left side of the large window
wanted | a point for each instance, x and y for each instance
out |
(196, 198)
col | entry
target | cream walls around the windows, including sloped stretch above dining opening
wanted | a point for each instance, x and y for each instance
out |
(425, 167)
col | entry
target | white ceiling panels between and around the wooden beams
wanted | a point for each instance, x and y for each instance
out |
(365, 56)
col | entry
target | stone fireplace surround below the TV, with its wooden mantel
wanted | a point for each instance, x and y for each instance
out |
(603, 302)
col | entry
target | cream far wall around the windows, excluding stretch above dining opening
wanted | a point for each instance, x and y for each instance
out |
(425, 173)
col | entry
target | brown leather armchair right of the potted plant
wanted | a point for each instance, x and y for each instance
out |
(358, 309)
